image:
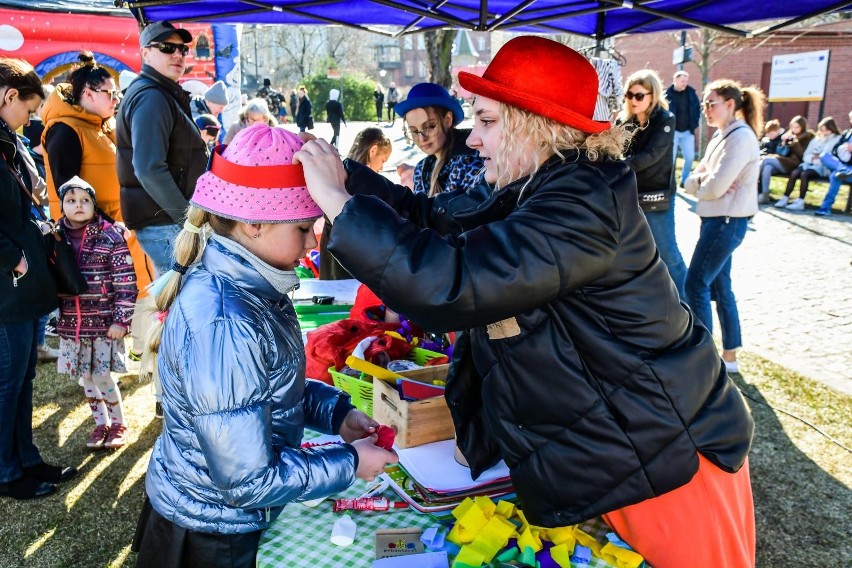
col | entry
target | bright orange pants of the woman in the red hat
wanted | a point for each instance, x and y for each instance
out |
(709, 522)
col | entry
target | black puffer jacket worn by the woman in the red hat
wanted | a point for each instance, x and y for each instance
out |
(581, 368)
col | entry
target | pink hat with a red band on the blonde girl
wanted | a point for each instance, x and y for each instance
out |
(253, 180)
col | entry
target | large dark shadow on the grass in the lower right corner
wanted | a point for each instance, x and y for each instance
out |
(803, 513)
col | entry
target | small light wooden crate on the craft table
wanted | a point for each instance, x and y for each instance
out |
(416, 422)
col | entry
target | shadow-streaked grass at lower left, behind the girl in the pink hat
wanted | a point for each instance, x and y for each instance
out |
(90, 521)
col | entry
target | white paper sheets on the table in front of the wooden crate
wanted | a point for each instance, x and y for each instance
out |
(434, 466)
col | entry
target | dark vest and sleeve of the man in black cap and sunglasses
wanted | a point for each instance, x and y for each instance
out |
(160, 153)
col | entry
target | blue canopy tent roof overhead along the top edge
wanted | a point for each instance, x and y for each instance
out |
(598, 19)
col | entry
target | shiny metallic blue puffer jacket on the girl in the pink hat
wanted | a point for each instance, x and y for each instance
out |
(236, 403)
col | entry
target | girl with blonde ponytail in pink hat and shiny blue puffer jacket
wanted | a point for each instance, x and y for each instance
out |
(232, 366)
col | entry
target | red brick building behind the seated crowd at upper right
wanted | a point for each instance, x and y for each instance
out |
(749, 61)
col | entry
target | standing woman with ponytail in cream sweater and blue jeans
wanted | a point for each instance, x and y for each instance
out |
(724, 184)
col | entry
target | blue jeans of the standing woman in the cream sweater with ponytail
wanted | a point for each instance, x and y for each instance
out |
(709, 275)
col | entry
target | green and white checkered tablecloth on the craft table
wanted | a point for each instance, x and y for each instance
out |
(300, 537)
